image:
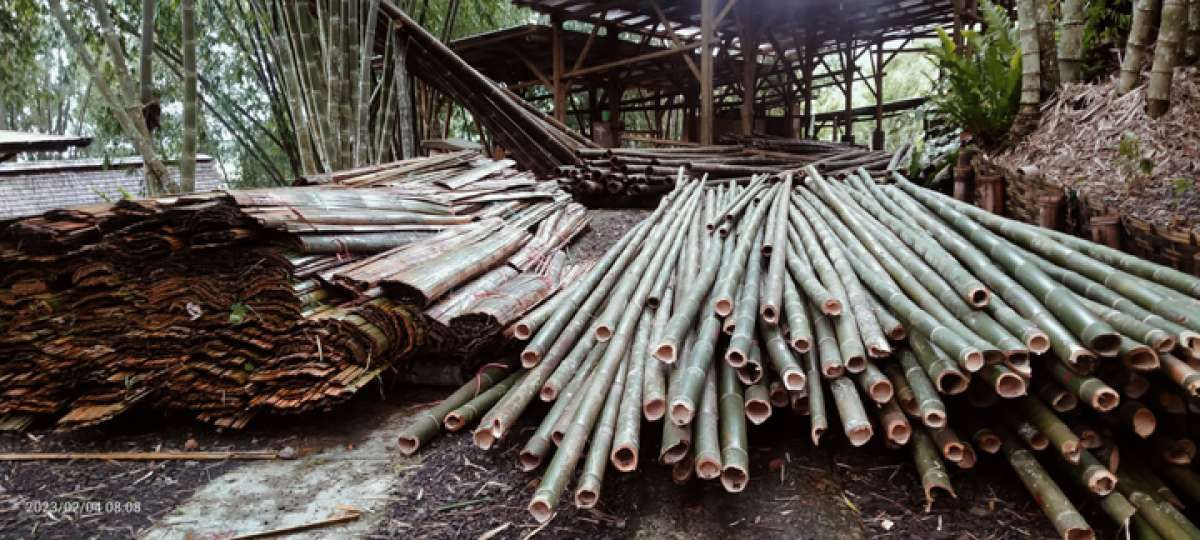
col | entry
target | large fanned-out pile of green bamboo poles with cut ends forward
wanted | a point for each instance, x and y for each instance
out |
(886, 313)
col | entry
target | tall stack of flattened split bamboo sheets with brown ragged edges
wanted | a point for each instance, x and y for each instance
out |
(229, 305)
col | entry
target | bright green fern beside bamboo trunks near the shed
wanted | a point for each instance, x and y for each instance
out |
(981, 86)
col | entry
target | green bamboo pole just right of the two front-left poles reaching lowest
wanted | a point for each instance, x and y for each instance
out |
(629, 417)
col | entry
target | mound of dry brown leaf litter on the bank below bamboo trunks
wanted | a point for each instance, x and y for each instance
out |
(1106, 147)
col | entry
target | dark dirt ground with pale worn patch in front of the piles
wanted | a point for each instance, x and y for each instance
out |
(453, 490)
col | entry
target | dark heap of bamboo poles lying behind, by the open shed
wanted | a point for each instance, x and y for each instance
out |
(651, 173)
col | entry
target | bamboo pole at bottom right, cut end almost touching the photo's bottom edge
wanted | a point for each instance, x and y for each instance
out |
(1054, 503)
